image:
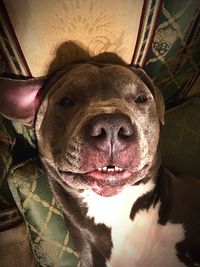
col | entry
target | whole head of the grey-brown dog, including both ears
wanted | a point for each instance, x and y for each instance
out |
(97, 126)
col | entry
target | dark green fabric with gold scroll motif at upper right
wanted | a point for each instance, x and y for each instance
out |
(173, 61)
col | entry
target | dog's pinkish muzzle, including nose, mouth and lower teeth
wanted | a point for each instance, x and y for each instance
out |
(111, 154)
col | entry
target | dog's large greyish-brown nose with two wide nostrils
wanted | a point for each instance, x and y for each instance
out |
(110, 132)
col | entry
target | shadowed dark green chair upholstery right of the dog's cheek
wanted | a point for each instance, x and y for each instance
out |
(181, 138)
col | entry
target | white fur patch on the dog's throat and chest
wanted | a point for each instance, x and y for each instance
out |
(140, 242)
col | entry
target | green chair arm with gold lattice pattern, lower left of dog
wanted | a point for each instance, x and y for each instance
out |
(50, 240)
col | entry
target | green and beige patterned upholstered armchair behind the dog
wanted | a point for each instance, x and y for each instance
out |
(38, 38)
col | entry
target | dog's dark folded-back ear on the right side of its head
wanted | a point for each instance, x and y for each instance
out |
(160, 105)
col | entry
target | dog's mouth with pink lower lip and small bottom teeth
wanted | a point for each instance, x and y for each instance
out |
(107, 180)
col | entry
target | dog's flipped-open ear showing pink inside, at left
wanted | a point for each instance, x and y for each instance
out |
(20, 99)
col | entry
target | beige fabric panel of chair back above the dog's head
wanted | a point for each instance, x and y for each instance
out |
(43, 25)
